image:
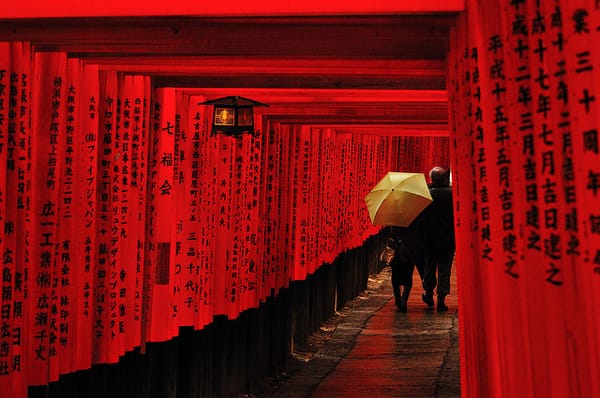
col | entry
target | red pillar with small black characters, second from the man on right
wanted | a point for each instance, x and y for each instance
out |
(493, 183)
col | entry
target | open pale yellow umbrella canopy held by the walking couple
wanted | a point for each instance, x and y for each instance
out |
(398, 199)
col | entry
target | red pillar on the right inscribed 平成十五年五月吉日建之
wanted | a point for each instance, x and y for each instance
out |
(502, 143)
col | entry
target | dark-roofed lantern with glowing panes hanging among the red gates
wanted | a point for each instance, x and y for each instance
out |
(233, 115)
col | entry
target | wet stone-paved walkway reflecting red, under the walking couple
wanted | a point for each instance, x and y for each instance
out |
(369, 349)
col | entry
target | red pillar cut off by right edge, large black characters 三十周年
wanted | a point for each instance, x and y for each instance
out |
(581, 29)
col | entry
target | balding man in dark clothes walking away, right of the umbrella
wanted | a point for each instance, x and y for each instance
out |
(439, 217)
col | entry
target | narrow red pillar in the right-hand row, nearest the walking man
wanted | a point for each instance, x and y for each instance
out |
(465, 218)
